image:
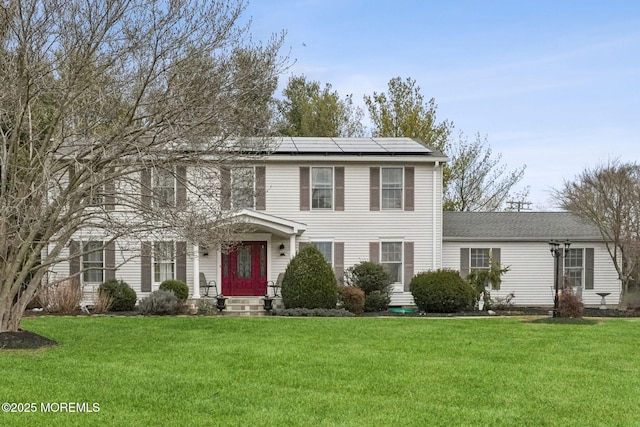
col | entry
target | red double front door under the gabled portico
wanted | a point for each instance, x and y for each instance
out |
(244, 270)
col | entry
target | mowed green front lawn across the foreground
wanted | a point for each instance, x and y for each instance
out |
(327, 371)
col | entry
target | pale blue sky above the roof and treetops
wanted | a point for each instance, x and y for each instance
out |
(554, 85)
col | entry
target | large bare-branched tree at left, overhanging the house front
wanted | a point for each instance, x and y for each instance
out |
(97, 92)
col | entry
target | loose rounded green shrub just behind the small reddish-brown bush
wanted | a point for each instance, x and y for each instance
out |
(375, 281)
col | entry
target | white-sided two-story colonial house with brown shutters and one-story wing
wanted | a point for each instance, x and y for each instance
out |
(355, 199)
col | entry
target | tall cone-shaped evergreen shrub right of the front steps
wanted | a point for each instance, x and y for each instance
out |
(309, 282)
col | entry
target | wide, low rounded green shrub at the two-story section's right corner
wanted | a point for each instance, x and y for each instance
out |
(442, 291)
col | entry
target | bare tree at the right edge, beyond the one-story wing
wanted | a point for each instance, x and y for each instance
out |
(608, 196)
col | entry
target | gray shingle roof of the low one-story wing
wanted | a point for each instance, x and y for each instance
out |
(517, 226)
